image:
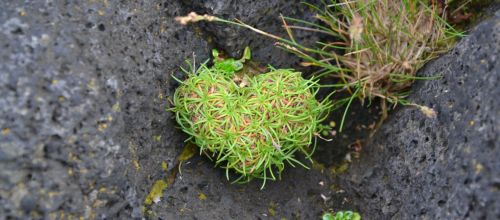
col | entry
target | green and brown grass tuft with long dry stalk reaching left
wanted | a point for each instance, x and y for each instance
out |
(372, 47)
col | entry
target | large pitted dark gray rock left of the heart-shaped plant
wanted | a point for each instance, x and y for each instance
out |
(84, 89)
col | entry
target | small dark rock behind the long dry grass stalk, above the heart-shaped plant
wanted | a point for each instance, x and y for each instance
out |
(264, 15)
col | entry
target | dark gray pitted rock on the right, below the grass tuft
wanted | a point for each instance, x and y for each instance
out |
(443, 168)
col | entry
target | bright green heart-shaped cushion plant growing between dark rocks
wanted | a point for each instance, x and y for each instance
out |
(251, 127)
